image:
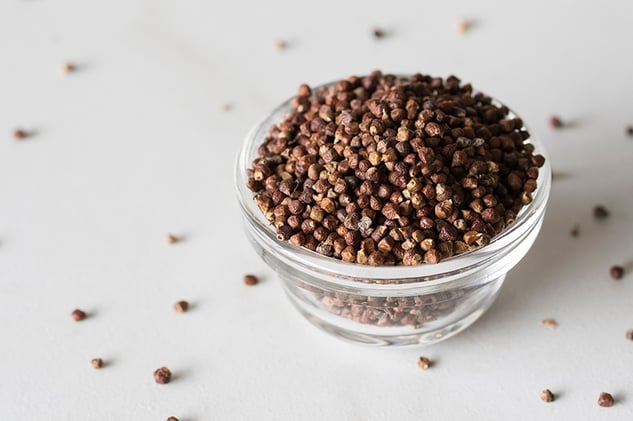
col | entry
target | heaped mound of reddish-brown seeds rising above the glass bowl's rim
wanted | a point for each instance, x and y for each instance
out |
(387, 170)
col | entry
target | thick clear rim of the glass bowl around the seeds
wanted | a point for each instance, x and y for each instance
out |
(345, 272)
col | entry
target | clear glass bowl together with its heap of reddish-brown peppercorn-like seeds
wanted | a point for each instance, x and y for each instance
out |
(391, 207)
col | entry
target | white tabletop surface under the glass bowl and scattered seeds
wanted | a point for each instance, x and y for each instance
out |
(136, 144)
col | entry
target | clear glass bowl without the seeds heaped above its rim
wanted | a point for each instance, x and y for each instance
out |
(389, 305)
